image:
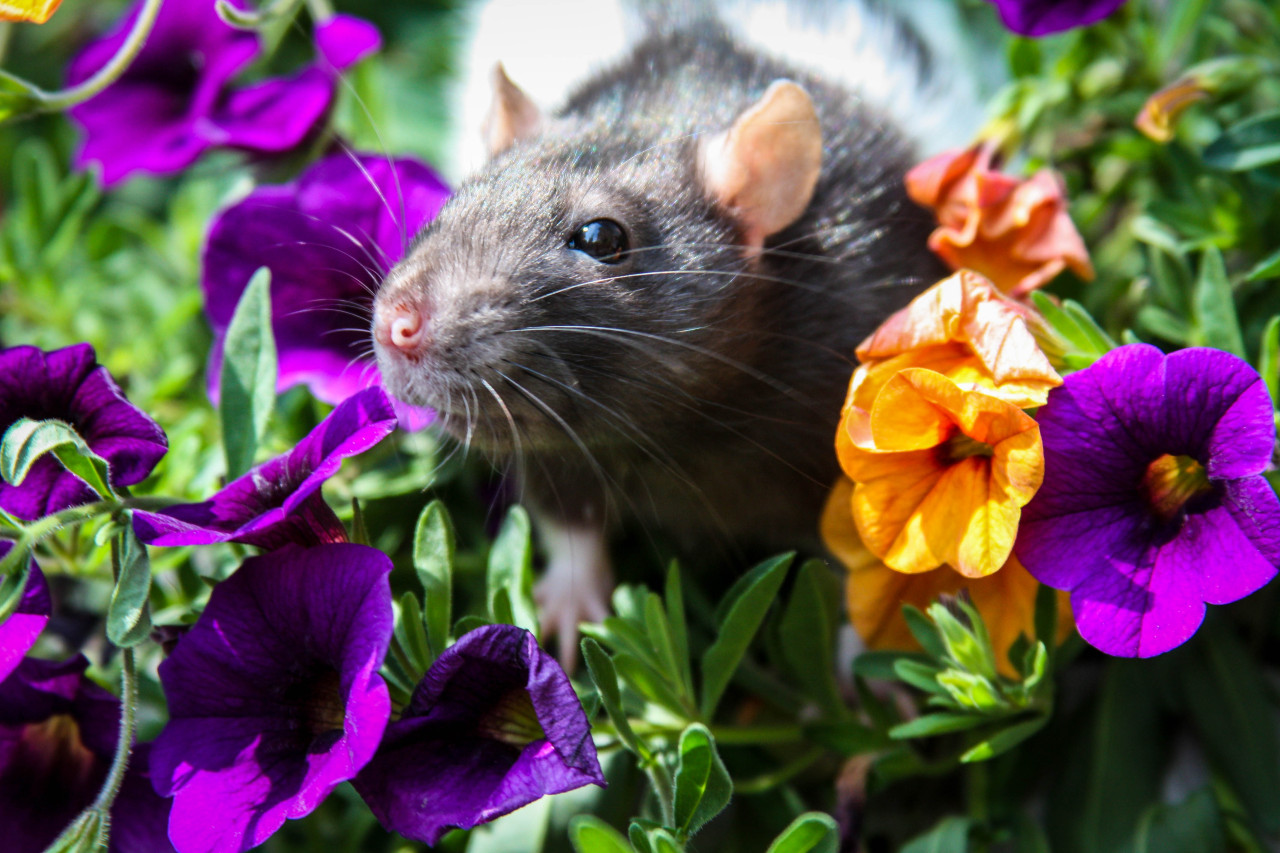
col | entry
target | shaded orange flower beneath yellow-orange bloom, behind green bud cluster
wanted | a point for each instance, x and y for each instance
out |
(876, 594)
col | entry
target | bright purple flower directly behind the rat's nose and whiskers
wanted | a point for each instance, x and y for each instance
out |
(330, 240)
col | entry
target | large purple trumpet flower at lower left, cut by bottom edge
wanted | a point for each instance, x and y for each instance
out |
(275, 695)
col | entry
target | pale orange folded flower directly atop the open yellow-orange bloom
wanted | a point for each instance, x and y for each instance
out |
(966, 330)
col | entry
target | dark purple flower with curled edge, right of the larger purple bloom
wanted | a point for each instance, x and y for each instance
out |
(493, 726)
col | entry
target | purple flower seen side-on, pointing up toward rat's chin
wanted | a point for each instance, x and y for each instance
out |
(280, 501)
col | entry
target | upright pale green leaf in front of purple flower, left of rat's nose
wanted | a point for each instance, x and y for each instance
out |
(249, 375)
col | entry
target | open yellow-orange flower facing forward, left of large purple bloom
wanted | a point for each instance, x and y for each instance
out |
(943, 473)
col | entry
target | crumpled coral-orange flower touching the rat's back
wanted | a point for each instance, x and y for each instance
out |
(1014, 232)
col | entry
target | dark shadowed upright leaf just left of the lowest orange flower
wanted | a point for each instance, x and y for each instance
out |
(808, 635)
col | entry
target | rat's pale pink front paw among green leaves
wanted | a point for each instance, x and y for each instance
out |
(577, 589)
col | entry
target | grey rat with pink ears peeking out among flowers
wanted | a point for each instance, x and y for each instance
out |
(647, 302)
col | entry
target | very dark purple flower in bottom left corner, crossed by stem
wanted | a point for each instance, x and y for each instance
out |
(58, 735)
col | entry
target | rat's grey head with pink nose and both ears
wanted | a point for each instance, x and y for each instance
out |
(588, 282)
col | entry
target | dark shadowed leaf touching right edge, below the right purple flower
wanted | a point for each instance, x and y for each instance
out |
(1227, 699)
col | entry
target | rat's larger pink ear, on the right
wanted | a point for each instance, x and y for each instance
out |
(764, 170)
